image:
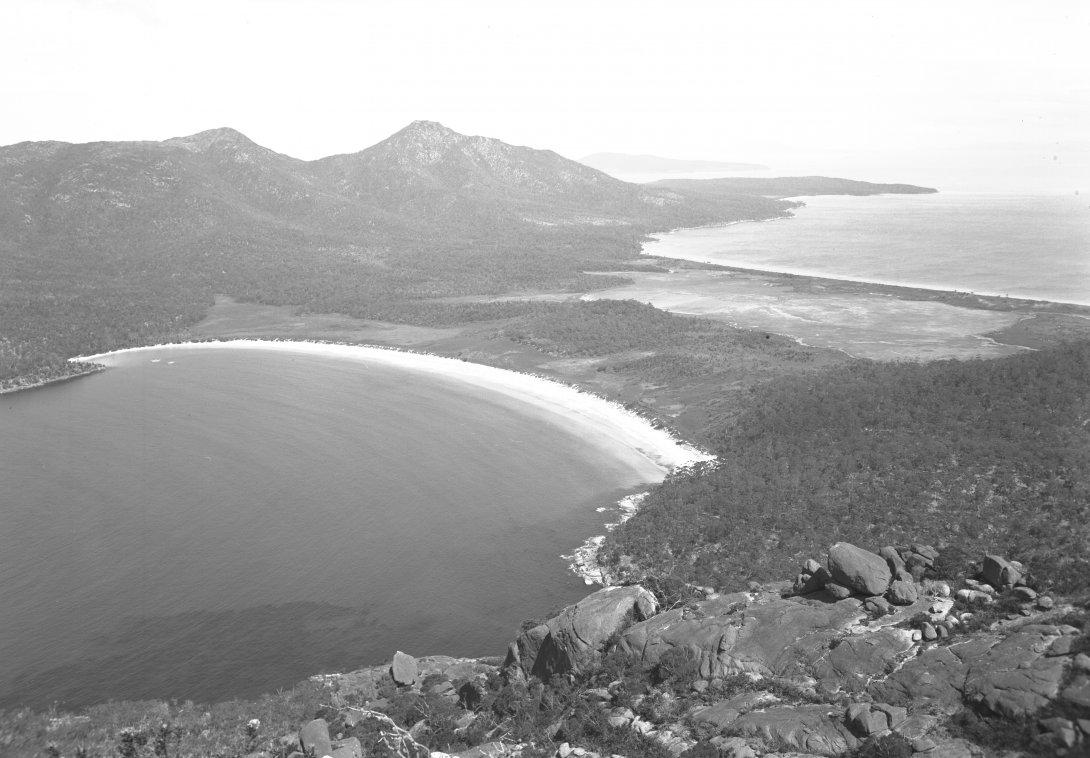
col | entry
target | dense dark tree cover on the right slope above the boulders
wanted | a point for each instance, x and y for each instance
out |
(983, 455)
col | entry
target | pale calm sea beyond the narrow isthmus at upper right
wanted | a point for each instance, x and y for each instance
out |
(1027, 247)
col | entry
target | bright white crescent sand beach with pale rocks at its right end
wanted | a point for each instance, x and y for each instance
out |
(651, 452)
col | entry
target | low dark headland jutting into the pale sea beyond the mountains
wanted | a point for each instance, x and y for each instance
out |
(786, 187)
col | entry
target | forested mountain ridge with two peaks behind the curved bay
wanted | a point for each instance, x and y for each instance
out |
(116, 244)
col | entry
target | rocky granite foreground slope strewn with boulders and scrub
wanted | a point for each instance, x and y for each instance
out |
(866, 655)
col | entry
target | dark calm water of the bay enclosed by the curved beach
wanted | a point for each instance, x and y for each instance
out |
(220, 524)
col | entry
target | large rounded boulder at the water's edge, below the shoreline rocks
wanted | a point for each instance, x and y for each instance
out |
(579, 633)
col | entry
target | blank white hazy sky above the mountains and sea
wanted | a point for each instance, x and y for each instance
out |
(965, 95)
